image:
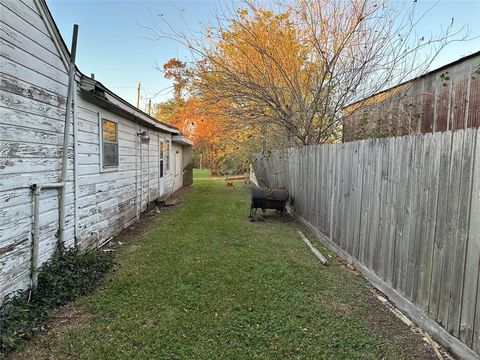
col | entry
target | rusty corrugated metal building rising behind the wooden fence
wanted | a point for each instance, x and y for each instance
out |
(447, 98)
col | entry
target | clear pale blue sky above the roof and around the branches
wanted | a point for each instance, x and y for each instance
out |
(114, 44)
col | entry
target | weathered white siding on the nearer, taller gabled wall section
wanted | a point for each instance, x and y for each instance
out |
(33, 86)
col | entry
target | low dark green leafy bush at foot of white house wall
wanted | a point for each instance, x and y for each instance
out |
(60, 280)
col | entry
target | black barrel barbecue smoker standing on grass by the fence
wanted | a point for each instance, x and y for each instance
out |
(263, 198)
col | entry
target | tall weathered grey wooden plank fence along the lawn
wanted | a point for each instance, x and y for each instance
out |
(406, 210)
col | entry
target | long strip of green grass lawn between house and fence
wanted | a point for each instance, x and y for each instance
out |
(203, 282)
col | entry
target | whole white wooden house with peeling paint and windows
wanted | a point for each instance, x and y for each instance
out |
(119, 161)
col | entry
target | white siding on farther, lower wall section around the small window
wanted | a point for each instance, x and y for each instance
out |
(109, 201)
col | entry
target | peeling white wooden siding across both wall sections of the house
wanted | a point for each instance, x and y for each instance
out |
(33, 87)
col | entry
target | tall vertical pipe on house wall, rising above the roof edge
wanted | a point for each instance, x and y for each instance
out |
(68, 117)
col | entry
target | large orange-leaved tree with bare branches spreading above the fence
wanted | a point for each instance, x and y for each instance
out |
(290, 70)
